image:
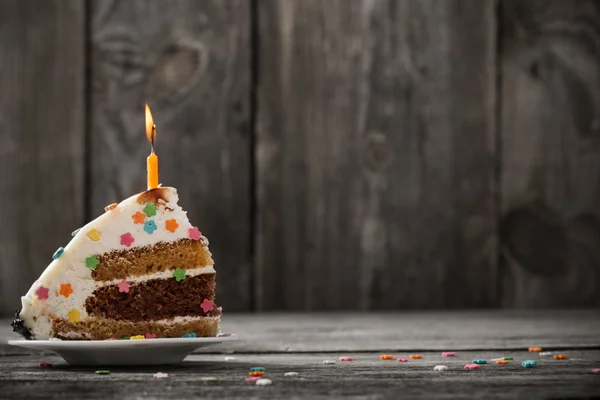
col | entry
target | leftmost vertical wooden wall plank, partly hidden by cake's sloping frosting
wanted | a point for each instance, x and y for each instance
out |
(42, 123)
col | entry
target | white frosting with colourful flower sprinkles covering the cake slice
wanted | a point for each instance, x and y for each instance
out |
(141, 220)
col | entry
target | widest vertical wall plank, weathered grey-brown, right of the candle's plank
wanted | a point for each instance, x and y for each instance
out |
(375, 154)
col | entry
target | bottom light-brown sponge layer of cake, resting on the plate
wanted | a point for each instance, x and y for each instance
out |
(100, 329)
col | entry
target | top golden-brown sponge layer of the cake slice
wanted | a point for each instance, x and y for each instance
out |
(120, 264)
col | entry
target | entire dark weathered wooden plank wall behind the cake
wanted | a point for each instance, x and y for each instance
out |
(339, 154)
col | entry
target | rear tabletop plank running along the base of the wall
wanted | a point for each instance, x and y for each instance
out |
(424, 331)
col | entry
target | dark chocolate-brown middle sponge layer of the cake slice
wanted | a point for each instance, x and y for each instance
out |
(154, 299)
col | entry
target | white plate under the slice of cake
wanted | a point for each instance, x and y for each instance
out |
(122, 352)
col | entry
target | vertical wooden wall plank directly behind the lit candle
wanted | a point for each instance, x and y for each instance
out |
(190, 60)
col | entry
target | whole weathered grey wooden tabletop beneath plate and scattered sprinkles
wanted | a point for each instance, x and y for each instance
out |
(300, 342)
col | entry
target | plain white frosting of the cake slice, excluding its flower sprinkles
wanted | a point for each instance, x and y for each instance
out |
(70, 267)
